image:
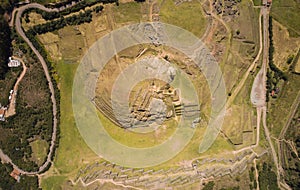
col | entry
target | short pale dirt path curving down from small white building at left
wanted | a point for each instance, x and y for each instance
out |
(12, 106)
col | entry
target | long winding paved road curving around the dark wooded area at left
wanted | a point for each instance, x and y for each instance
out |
(20, 31)
